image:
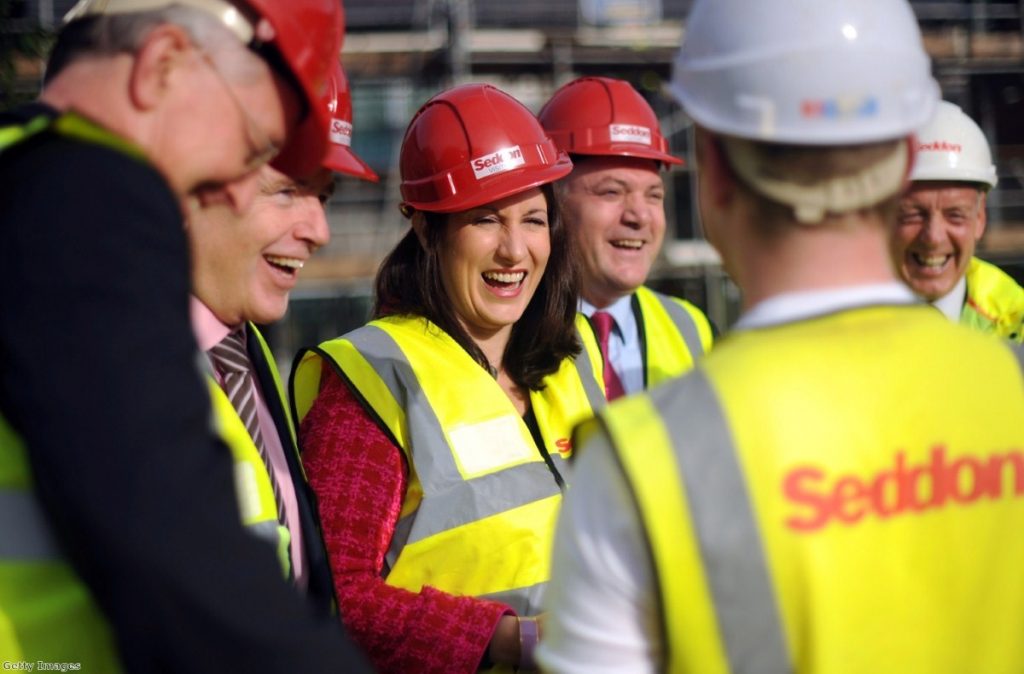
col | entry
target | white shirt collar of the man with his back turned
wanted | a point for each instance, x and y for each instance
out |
(789, 308)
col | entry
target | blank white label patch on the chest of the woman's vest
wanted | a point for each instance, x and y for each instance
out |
(490, 446)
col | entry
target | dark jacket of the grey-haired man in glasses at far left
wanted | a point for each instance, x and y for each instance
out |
(99, 375)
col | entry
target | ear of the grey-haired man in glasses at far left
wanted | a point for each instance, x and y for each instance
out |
(164, 52)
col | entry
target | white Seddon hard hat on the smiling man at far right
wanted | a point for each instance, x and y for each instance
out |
(952, 147)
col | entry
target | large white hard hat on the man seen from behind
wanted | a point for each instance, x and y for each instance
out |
(805, 72)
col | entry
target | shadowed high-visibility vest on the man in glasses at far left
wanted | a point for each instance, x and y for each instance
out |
(47, 612)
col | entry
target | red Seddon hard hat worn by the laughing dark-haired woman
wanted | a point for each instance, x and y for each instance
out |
(472, 146)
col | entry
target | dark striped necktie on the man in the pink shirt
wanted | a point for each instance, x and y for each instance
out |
(232, 361)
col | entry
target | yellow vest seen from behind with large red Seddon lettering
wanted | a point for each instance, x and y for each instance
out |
(836, 495)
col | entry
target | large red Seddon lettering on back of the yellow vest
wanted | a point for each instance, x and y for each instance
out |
(849, 498)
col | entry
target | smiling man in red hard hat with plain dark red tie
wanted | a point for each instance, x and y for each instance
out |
(614, 205)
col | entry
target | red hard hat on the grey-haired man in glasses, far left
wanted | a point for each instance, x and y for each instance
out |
(309, 36)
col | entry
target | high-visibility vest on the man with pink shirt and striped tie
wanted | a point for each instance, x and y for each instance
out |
(252, 481)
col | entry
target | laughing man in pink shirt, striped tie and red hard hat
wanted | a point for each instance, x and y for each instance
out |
(244, 269)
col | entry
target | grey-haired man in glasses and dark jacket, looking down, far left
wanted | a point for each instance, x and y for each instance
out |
(120, 537)
